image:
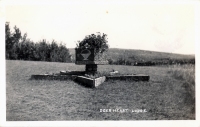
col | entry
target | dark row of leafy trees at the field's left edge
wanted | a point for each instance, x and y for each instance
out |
(20, 47)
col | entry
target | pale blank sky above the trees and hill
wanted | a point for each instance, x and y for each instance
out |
(163, 27)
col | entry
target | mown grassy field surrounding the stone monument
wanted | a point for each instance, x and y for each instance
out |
(169, 95)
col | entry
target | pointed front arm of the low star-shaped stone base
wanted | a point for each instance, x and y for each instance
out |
(89, 82)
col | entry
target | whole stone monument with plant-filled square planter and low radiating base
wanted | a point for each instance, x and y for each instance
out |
(91, 53)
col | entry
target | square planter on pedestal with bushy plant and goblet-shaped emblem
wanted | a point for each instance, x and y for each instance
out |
(91, 52)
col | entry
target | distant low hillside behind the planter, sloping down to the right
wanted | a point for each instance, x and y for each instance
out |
(132, 56)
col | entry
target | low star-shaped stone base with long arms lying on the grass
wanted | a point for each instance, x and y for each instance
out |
(86, 81)
